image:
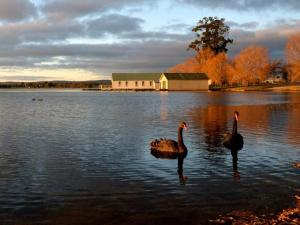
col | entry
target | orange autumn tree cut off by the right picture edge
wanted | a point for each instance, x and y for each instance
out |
(292, 54)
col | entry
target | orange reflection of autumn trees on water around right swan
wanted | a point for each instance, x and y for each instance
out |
(257, 120)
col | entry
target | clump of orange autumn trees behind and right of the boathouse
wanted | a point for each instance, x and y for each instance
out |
(251, 65)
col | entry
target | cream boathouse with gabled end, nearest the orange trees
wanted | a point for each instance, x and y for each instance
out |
(184, 81)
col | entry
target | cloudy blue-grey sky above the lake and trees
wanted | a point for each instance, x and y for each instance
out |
(90, 39)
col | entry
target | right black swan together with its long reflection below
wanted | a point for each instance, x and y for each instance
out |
(235, 142)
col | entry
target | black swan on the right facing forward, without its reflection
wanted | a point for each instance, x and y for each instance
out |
(234, 141)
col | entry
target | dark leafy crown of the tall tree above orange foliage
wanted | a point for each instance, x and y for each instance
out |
(212, 33)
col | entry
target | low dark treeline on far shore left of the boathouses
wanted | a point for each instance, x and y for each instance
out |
(56, 84)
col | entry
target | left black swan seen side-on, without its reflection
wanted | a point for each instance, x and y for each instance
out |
(168, 148)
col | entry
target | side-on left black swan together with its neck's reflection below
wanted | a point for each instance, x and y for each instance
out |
(170, 149)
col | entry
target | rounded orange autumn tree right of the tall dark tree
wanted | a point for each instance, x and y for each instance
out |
(250, 66)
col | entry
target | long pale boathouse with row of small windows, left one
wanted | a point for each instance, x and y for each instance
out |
(135, 81)
